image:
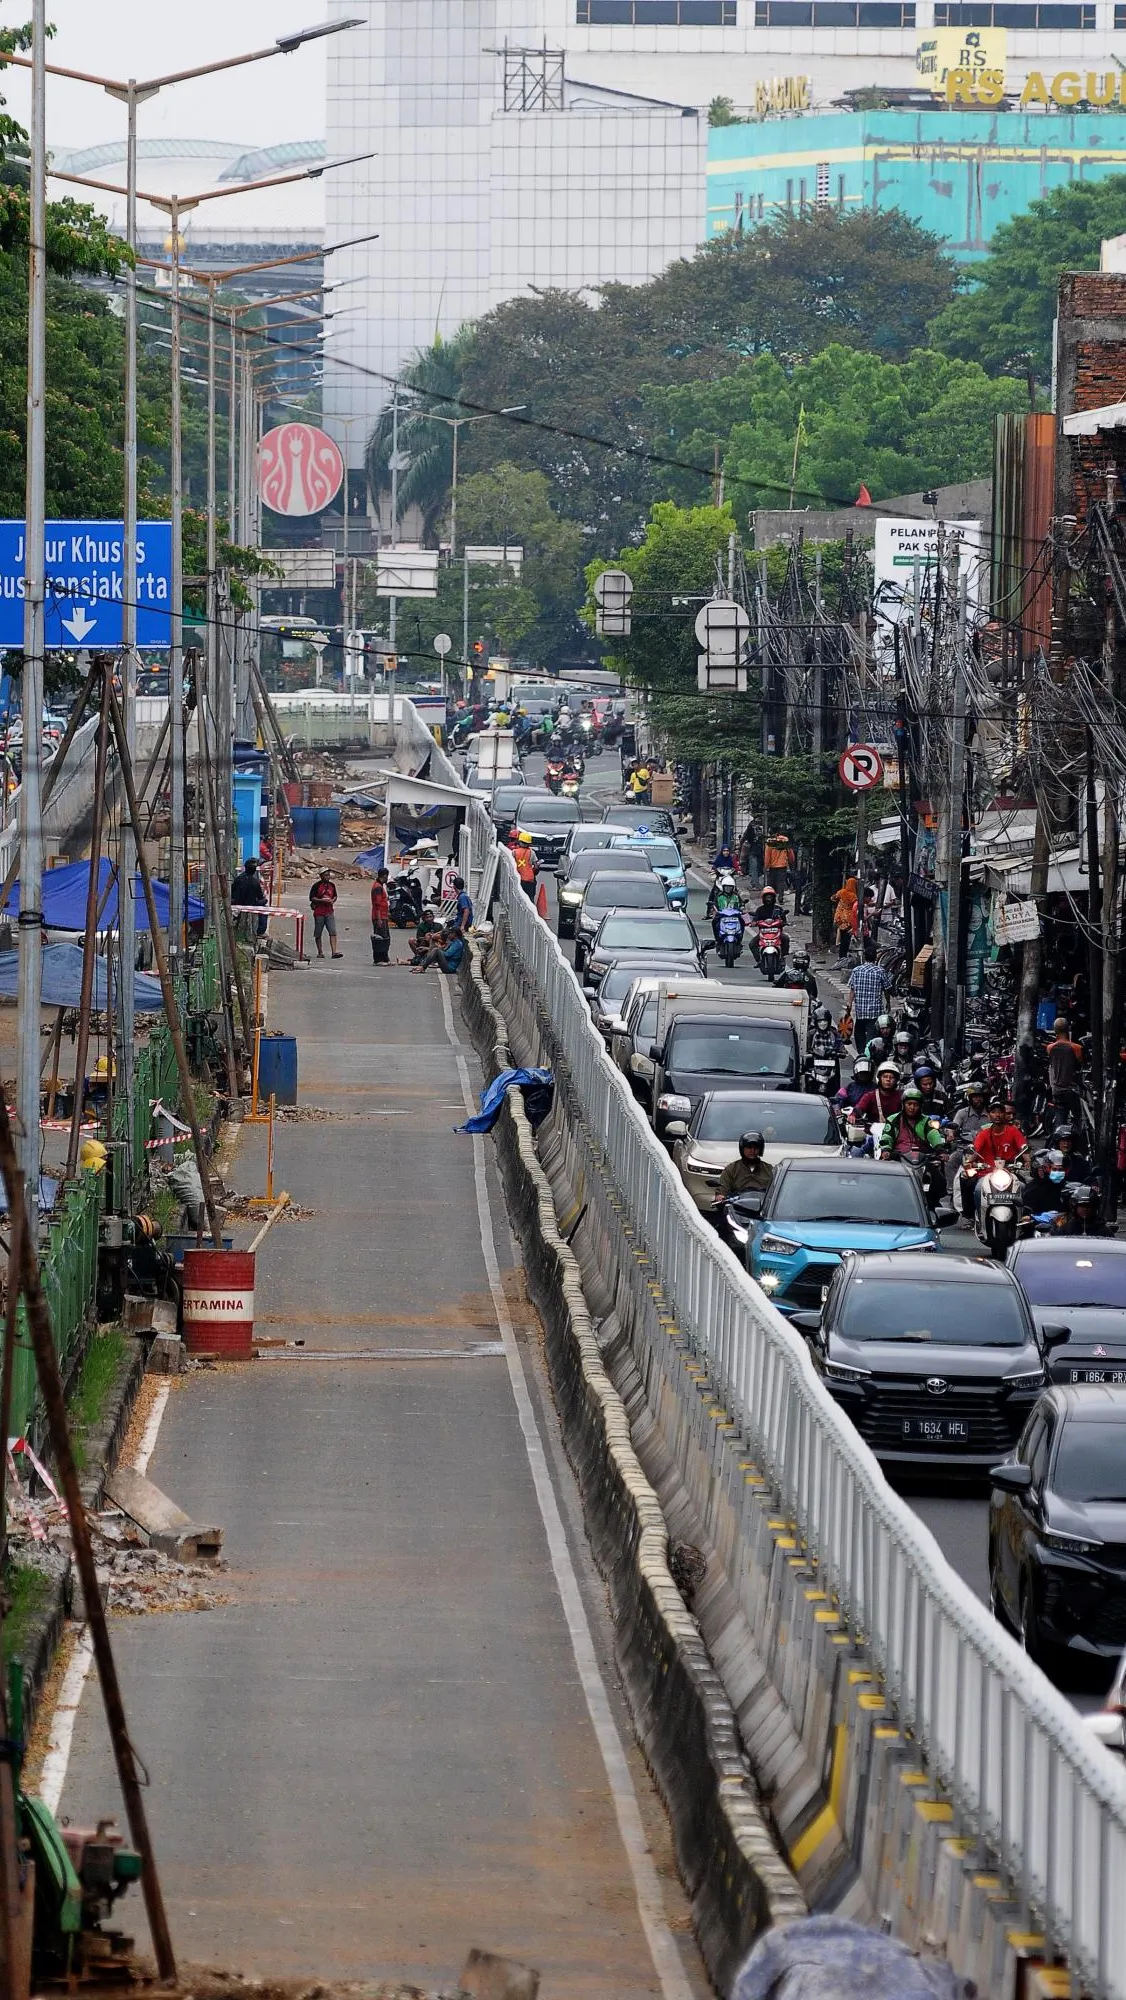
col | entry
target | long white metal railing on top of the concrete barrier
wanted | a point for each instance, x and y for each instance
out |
(997, 1737)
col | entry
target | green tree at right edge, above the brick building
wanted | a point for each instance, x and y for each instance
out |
(1005, 317)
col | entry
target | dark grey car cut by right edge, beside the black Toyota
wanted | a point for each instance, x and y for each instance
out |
(1079, 1283)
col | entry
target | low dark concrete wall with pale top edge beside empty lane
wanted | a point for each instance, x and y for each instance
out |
(729, 1861)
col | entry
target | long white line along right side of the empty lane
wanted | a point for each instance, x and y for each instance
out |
(647, 1889)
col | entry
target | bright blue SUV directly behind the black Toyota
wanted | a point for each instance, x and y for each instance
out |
(815, 1211)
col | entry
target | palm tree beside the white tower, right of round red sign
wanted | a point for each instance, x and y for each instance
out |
(431, 383)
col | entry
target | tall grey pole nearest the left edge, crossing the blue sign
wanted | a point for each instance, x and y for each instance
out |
(35, 639)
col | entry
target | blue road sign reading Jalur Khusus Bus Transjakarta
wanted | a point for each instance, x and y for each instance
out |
(85, 583)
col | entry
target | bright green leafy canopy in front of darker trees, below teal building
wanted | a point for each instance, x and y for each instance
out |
(893, 427)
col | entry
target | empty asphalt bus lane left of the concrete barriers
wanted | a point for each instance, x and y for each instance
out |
(389, 1745)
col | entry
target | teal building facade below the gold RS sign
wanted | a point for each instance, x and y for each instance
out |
(959, 173)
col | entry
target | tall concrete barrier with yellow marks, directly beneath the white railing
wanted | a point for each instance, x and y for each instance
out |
(865, 1827)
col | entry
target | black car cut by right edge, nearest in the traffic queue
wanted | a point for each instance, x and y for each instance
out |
(1059, 1527)
